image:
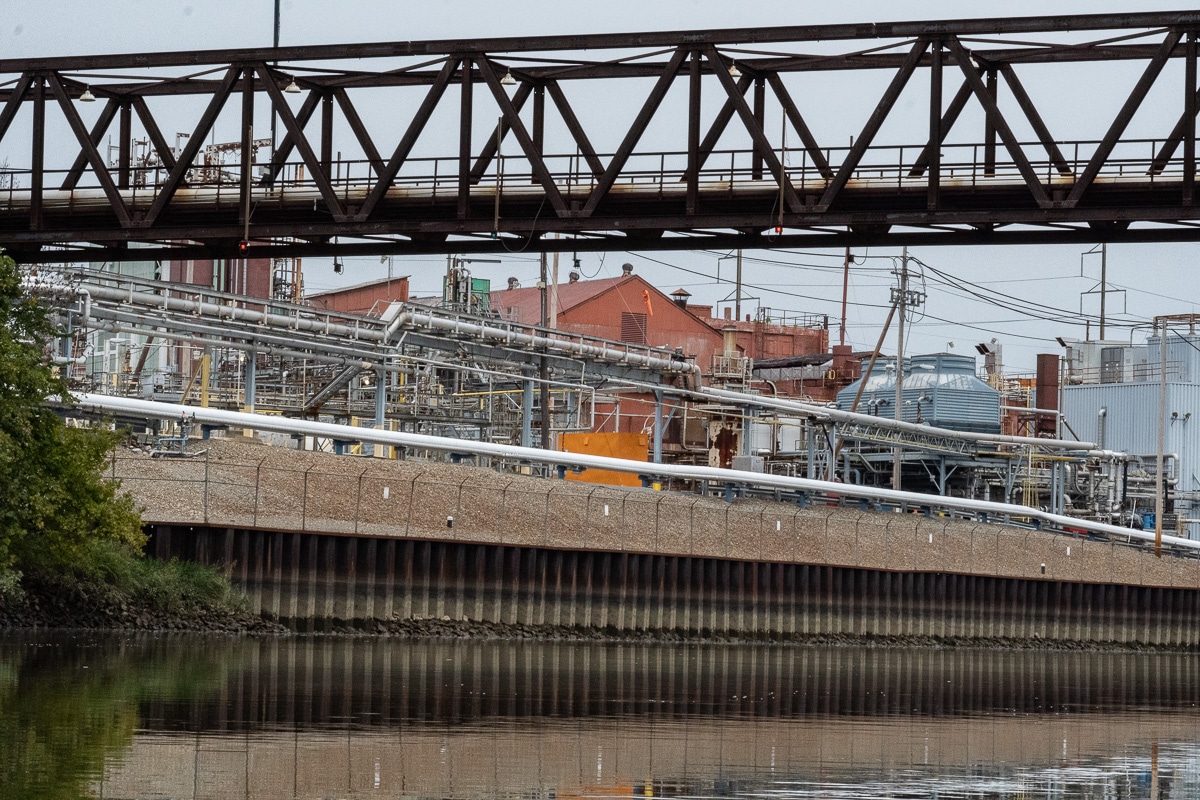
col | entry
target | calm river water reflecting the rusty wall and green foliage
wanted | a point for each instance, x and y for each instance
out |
(189, 717)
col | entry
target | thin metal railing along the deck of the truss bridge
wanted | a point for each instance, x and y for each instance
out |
(883, 167)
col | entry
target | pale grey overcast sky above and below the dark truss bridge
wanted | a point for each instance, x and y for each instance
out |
(1156, 279)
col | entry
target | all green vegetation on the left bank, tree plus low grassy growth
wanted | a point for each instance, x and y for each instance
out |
(62, 522)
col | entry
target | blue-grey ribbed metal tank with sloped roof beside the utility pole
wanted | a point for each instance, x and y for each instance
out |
(940, 389)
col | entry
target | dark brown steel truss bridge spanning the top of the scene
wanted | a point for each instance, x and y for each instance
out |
(705, 166)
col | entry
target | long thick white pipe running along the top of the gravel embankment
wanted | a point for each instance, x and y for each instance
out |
(982, 509)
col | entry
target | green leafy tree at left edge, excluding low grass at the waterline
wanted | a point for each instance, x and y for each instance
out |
(55, 501)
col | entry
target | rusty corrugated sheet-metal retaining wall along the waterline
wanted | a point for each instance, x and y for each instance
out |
(321, 582)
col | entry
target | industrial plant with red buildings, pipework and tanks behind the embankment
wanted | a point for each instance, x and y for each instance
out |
(617, 368)
